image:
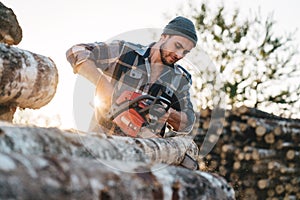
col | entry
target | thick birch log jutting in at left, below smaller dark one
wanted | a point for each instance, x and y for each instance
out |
(27, 80)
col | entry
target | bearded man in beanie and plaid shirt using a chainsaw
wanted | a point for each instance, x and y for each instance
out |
(121, 66)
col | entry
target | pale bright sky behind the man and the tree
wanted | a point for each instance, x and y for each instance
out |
(51, 27)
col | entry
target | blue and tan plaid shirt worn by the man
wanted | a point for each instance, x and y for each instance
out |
(114, 60)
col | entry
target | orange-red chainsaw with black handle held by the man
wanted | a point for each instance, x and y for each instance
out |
(133, 110)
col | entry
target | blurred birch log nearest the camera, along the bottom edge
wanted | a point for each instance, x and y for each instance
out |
(48, 177)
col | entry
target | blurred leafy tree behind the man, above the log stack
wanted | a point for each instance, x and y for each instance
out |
(257, 66)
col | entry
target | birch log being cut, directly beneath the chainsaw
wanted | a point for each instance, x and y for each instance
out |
(53, 141)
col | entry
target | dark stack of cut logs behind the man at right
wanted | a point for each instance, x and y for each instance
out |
(258, 153)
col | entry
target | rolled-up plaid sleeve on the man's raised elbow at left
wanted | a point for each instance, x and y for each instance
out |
(102, 54)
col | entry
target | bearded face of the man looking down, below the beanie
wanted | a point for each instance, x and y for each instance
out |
(174, 48)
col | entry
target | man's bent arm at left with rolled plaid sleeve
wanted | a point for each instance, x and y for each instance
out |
(83, 59)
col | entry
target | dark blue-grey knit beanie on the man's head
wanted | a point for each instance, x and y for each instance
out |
(183, 27)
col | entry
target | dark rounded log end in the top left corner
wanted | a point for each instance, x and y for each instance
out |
(10, 30)
